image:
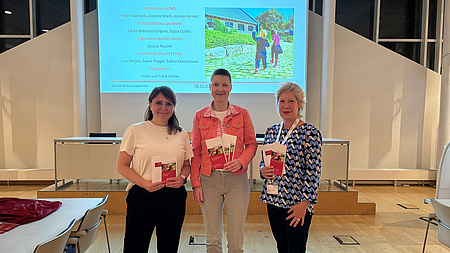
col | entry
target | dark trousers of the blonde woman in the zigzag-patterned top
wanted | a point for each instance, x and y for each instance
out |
(289, 239)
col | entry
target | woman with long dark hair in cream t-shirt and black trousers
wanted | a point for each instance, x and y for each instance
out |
(151, 202)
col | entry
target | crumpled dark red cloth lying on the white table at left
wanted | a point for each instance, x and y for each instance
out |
(23, 211)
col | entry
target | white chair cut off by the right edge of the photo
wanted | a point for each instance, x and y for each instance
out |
(442, 216)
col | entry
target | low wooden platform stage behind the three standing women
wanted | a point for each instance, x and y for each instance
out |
(333, 198)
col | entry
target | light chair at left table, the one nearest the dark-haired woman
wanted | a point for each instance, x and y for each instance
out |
(81, 239)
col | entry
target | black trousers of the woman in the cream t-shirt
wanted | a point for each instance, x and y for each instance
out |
(163, 209)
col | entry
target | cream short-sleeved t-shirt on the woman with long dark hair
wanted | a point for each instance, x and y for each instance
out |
(144, 140)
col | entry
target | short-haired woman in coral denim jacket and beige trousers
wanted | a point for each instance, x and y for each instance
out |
(228, 185)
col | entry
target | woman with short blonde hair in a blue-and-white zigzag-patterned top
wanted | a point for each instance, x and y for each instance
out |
(291, 197)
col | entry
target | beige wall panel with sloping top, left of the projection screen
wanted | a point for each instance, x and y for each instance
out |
(36, 100)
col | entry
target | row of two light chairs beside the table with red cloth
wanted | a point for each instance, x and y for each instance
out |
(79, 240)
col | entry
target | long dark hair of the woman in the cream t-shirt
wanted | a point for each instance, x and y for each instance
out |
(174, 124)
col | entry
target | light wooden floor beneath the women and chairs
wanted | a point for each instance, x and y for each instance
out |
(392, 229)
